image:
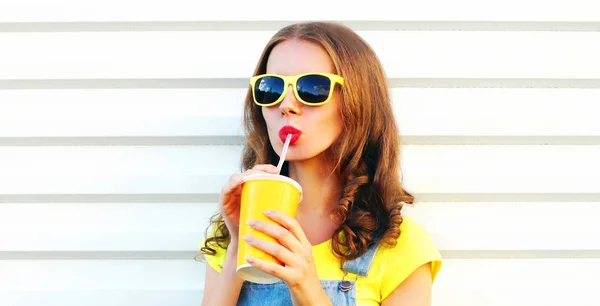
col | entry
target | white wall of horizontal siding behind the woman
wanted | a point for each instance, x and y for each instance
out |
(120, 121)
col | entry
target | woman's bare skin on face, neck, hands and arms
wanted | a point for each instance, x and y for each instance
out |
(320, 127)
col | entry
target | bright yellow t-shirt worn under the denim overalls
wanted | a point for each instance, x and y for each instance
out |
(390, 266)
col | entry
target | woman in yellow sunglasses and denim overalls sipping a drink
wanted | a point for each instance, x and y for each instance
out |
(349, 243)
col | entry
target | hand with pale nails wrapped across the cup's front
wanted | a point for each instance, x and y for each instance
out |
(299, 271)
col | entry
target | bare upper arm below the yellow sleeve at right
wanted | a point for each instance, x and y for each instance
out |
(414, 291)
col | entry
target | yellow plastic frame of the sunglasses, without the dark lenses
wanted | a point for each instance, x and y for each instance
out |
(293, 80)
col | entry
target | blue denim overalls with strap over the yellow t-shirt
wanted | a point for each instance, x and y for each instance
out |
(340, 292)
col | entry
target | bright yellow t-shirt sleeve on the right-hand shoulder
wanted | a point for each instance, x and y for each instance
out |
(414, 249)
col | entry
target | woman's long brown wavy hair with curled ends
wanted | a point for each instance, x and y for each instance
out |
(366, 155)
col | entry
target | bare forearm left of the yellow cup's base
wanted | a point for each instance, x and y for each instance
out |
(223, 289)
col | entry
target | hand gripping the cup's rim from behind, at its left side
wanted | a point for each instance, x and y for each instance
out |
(229, 201)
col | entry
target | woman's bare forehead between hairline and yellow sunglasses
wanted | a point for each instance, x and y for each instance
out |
(299, 56)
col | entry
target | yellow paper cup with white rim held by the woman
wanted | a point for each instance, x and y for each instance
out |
(259, 193)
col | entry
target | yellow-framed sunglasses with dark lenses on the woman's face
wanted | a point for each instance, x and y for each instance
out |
(309, 88)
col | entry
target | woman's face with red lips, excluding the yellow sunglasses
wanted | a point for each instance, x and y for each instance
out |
(319, 126)
